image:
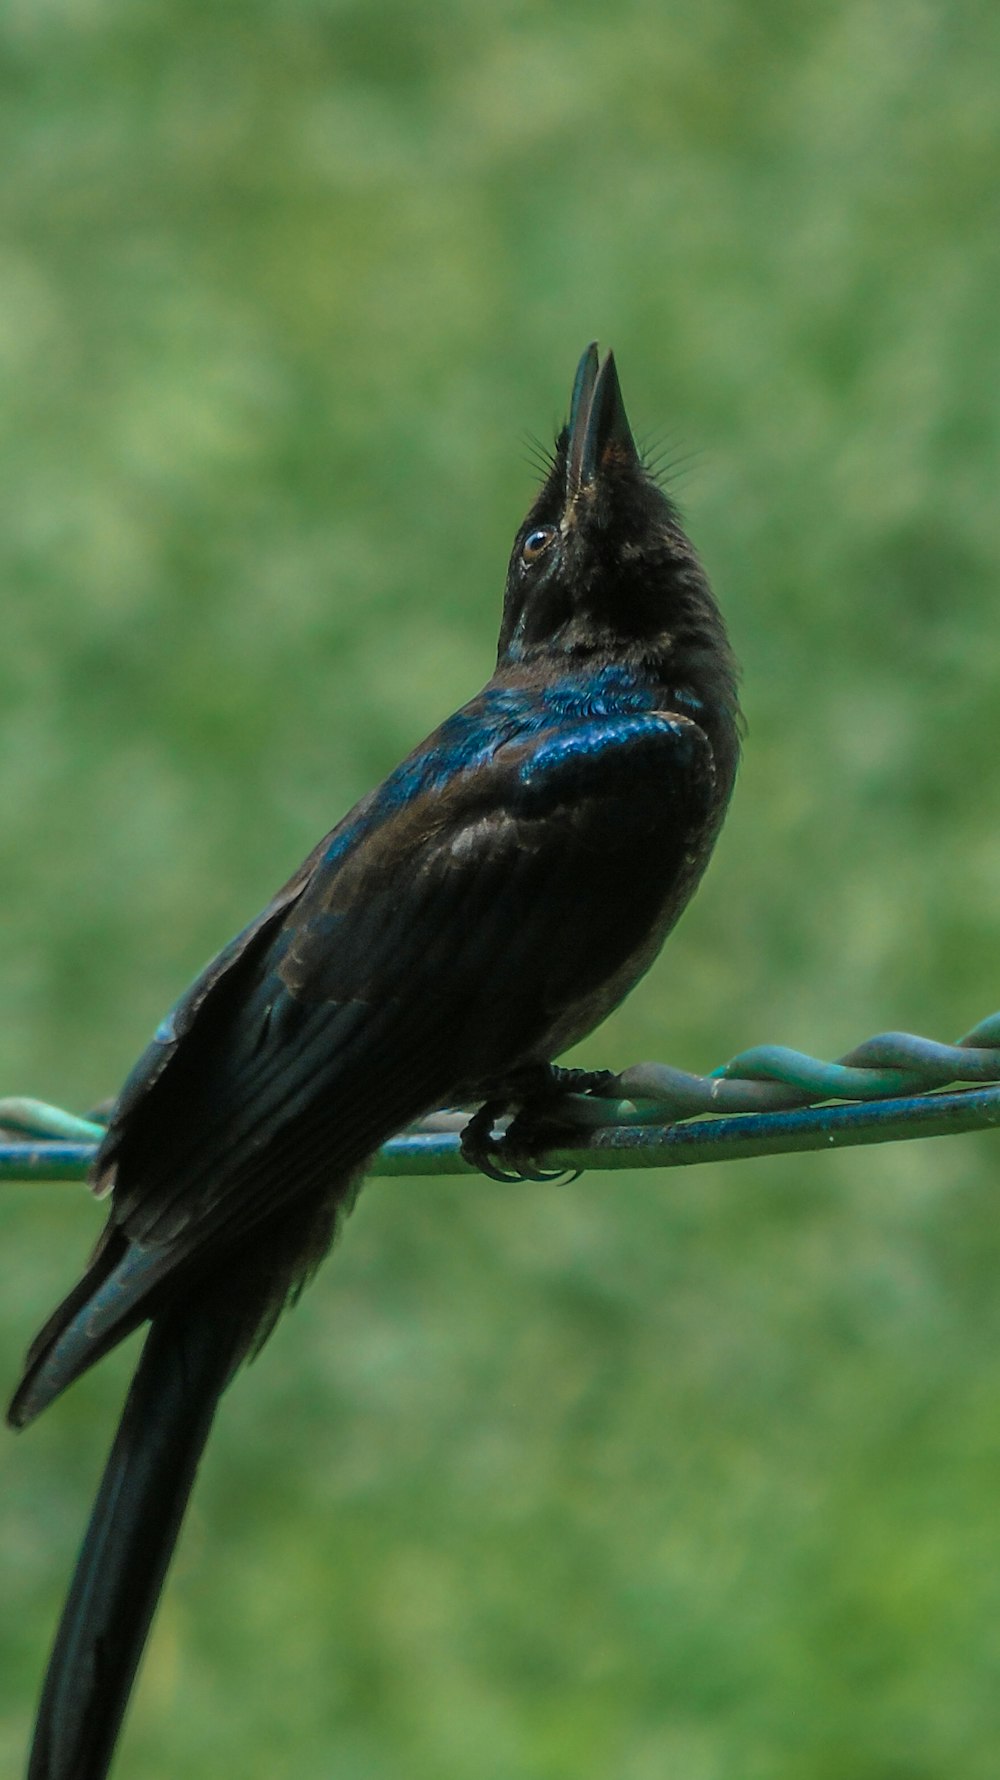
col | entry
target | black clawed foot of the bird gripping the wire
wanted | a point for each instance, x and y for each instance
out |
(535, 1128)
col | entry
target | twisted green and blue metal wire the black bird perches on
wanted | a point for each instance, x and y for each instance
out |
(764, 1103)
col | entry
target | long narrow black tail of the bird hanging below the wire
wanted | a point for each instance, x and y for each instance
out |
(188, 1361)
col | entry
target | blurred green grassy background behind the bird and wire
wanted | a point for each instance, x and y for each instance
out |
(666, 1478)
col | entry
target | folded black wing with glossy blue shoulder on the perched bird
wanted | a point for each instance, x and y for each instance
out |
(437, 950)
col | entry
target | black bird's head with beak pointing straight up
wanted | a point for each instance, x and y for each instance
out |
(602, 563)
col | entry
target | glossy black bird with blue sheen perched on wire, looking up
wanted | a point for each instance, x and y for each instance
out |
(467, 923)
